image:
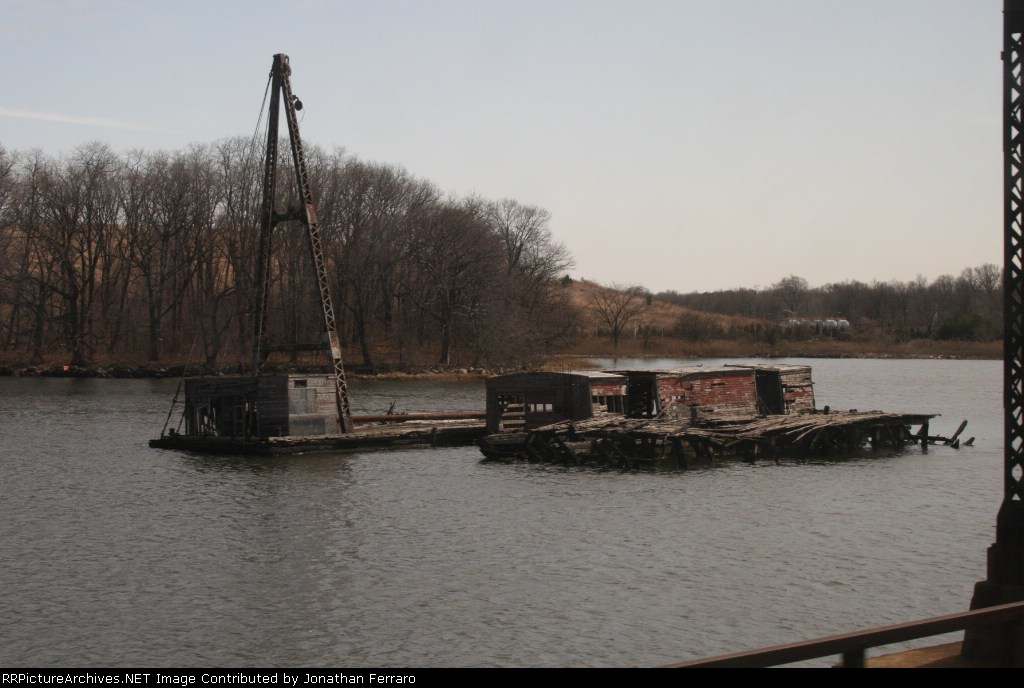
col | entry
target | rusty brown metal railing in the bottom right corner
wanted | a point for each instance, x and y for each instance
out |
(854, 647)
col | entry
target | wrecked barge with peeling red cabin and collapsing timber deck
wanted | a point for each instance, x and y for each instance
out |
(691, 415)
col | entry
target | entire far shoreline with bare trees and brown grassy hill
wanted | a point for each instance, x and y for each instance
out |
(131, 266)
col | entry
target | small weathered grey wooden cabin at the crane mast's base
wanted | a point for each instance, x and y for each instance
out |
(274, 406)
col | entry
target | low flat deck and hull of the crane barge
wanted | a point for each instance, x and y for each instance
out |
(463, 434)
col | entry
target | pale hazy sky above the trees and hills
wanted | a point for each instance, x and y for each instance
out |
(682, 145)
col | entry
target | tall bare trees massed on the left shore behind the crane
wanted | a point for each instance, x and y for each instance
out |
(152, 255)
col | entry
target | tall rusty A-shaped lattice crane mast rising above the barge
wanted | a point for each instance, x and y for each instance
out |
(281, 88)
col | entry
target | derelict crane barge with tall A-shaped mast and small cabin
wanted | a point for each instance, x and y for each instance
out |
(263, 413)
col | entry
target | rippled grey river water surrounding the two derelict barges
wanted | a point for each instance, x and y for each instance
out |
(116, 554)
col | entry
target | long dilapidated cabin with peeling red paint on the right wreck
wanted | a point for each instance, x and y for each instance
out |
(527, 401)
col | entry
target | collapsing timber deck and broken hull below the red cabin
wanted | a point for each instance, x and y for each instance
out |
(620, 442)
